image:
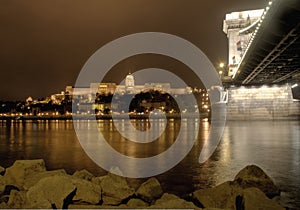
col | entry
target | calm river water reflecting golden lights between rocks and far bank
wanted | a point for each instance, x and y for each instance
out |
(272, 145)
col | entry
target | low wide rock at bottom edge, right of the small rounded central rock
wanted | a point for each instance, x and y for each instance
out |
(172, 201)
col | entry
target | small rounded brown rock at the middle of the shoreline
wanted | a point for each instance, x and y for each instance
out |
(150, 190)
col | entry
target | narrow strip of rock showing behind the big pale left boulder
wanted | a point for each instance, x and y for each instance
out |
(31, 180)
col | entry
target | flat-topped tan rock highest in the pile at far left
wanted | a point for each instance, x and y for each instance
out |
(21, 169)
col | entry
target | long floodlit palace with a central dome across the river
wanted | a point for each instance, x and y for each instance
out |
(85, 100)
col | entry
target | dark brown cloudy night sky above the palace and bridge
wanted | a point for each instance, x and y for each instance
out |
(45, 43)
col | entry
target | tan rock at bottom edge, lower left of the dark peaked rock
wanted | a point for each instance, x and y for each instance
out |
(222, 196)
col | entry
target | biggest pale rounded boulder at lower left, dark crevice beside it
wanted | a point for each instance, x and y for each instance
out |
(51, 192)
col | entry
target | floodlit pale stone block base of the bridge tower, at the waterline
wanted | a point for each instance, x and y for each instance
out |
(262, 103)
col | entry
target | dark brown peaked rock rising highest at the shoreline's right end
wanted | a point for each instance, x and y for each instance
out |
(253, 176)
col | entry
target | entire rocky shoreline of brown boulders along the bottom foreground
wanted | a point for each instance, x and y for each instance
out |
(27, 184)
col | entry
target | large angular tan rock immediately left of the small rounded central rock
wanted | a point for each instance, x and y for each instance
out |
(115, 189)
